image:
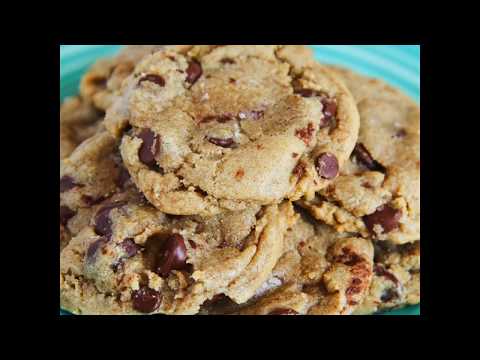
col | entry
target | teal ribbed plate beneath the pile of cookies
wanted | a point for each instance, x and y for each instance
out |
(398, 65)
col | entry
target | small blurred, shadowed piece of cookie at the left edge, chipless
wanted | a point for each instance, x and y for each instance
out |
(78, 121)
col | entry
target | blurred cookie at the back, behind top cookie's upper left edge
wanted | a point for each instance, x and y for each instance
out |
(105, 77)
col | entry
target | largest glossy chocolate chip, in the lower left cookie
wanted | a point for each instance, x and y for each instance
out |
(173, 255)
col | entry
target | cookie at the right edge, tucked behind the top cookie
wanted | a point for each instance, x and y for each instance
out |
(377, 193)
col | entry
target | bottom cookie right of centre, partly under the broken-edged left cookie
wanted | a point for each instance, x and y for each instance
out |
(320, 273)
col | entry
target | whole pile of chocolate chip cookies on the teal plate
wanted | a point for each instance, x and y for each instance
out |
(202, 179)
